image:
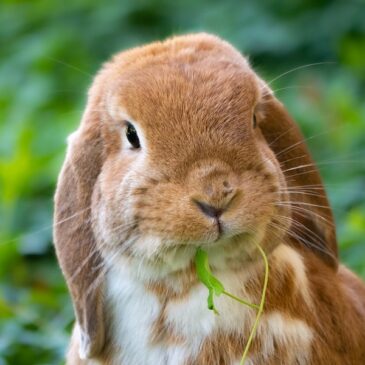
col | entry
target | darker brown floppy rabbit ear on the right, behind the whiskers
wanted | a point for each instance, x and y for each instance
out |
(313, 224)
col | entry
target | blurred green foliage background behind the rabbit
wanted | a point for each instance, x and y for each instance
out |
(49, 51)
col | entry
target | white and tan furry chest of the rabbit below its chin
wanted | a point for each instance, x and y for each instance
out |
(148, 327)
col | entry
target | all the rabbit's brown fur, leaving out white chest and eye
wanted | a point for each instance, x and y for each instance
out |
(195, 96)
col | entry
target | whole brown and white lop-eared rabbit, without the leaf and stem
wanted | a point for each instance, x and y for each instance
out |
(183, 146)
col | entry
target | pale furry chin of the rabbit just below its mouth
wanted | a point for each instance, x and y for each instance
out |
(153, 258)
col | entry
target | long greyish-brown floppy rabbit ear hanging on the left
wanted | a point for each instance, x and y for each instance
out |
(74, 239)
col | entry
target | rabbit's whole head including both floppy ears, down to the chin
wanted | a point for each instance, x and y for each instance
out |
(182, 145)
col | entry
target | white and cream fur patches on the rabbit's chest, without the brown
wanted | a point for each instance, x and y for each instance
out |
(133, 311)
